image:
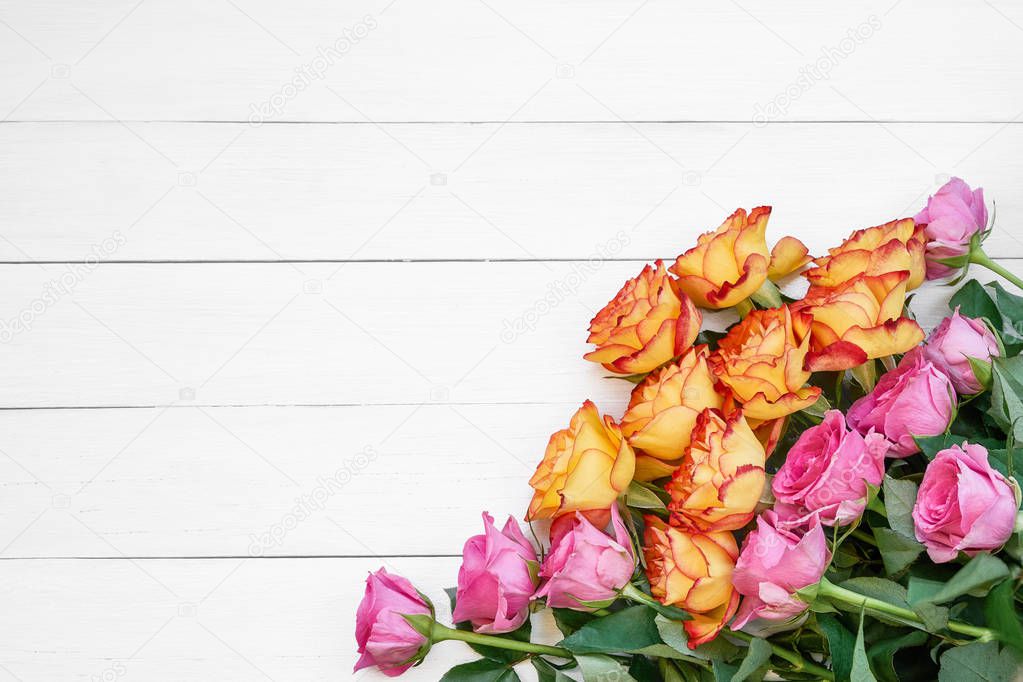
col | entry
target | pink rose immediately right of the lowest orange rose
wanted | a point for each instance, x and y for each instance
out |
(773, 566)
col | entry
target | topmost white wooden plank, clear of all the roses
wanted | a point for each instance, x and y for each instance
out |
(469, 61)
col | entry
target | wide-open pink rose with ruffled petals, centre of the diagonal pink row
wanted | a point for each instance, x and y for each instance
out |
(827, 471)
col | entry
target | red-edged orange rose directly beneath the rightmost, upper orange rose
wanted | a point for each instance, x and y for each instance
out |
(858, 322)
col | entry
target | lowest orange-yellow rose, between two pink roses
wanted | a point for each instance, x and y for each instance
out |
(692, 571)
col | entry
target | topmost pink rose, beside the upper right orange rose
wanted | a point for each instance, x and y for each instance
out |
(951, 219)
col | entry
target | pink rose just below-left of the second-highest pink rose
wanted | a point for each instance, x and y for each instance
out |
(915, 399)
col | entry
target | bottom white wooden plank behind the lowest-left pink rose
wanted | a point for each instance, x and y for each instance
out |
(204, 620)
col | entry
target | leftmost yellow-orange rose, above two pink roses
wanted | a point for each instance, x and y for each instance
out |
(586, 468)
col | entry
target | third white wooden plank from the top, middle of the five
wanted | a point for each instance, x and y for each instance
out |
(313, 334)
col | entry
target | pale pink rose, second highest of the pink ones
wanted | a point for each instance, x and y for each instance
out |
(955, 340)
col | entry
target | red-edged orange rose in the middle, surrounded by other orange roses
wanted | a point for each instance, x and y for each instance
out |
(762, 361)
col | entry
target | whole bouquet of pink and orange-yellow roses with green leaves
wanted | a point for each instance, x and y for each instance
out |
(820, 492)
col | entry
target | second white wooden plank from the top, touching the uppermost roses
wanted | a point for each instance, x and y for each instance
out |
(516, 192)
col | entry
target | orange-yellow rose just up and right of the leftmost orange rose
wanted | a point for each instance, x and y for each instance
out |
(663, 411)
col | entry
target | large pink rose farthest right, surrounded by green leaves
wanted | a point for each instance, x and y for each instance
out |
(963, 505)
